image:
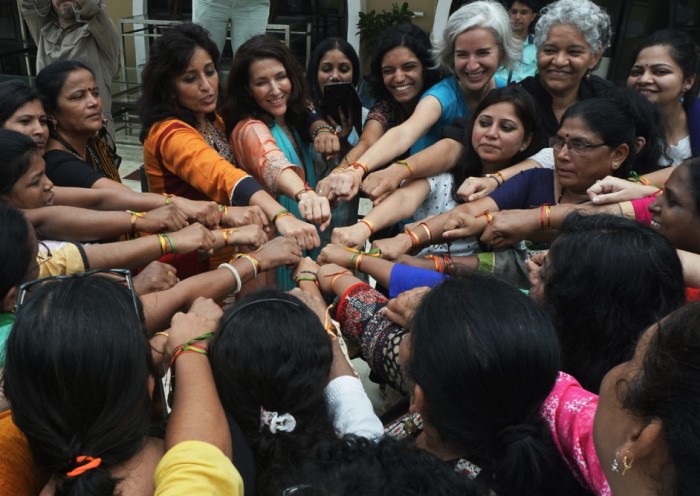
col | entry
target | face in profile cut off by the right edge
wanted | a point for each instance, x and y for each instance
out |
(674, 212)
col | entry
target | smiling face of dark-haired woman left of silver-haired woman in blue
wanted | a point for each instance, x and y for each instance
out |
(402, 73)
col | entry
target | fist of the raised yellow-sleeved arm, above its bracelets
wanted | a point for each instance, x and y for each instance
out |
(202, 317)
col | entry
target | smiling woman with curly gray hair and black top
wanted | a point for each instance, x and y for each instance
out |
(571, 36)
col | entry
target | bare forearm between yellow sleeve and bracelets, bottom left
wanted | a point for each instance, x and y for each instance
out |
(197, 412)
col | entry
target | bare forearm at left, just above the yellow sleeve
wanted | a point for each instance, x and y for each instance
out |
(78, 224)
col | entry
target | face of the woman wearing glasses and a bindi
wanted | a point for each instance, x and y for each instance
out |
(577, 171)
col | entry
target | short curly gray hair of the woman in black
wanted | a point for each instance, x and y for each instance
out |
(588, 18)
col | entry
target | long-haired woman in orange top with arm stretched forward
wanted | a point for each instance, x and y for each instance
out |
(185, 149)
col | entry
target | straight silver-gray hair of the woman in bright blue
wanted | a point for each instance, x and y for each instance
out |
(485, 14)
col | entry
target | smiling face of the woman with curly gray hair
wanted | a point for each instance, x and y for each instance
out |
(563, 59)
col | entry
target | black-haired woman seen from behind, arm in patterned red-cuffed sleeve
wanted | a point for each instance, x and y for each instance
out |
(477, 379)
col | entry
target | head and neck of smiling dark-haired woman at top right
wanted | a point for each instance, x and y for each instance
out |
(665, 71)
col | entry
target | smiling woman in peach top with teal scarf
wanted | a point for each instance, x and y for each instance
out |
(264, 114)
